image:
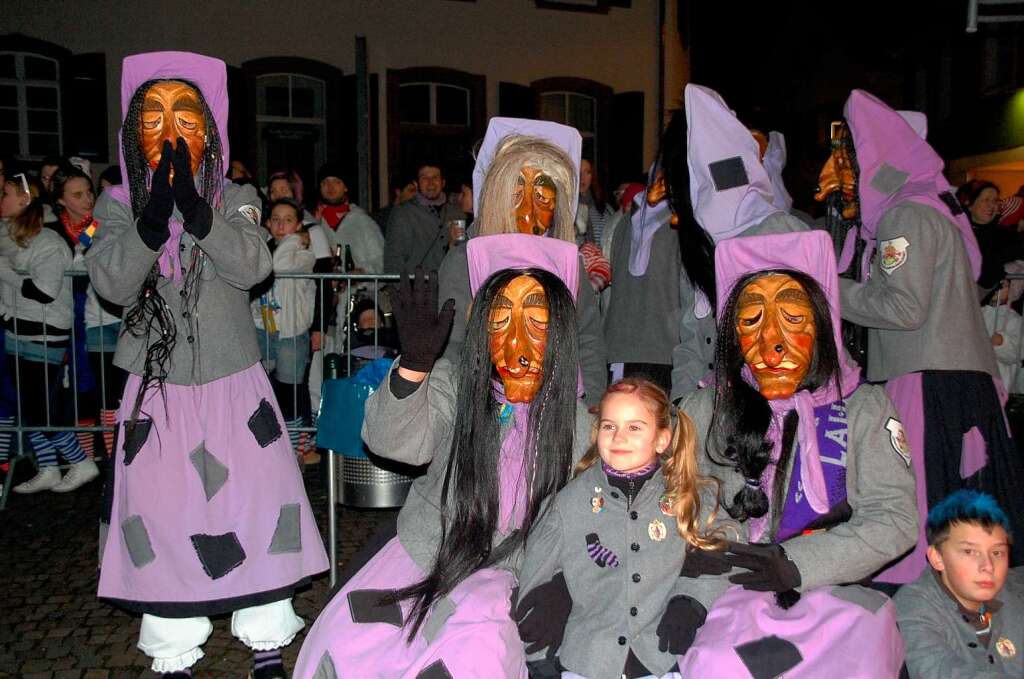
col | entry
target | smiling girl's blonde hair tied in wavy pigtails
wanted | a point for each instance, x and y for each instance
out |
(684, 483)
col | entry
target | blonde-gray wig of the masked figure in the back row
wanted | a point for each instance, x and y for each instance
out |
(497, 209)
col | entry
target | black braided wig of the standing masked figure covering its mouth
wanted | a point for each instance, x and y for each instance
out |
(151, 317)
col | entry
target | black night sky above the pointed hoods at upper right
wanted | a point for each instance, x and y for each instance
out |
(790, 67)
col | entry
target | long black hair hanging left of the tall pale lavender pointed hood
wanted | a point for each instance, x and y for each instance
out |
(696, 246)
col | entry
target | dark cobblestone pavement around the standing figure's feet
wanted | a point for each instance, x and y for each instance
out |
(52, 624)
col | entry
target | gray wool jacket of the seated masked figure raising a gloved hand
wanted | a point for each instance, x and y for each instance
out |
(418, 431)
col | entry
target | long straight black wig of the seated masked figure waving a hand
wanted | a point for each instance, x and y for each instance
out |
(471, 492)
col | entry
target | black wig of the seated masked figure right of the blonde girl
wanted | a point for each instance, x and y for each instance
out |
(742, 415)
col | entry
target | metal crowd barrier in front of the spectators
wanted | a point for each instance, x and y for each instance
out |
(345, 289)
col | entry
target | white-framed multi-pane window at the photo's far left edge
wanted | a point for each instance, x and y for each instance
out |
(30, 106)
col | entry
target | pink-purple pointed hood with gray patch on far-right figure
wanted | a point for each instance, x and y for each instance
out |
(899, 165)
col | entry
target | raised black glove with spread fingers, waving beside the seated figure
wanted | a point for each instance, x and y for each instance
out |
(422, 330)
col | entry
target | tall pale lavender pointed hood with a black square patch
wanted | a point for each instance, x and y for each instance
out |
(730, 188)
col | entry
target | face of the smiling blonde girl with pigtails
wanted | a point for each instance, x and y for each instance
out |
(628, 438)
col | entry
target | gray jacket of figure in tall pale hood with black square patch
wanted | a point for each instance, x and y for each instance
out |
(694, 357)
